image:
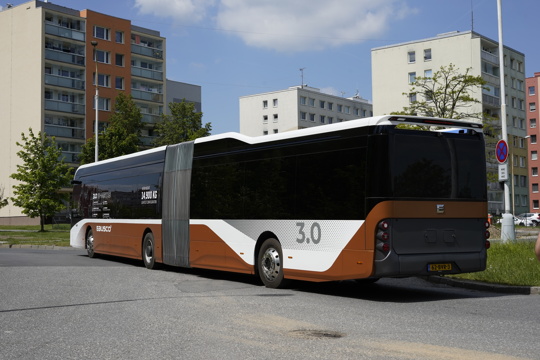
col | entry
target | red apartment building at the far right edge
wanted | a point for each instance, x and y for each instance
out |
(532, 85)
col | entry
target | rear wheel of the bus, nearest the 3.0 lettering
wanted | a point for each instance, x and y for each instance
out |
(270, 264)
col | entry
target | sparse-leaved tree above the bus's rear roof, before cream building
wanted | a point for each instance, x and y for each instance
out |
(447, 94)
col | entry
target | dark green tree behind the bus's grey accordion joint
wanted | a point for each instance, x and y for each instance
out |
(184, 124)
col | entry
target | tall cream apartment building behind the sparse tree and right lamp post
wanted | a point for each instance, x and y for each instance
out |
(394, 67)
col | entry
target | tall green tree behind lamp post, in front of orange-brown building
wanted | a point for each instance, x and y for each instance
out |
(121, 137)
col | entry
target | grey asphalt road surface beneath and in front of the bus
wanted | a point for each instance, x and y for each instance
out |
(62, 305)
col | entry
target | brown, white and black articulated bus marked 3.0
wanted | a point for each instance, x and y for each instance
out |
(362, 199)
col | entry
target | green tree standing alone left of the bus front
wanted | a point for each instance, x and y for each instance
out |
(42, 175)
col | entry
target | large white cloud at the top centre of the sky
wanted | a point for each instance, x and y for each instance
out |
(301, 25)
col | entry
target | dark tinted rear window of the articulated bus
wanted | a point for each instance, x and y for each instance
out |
(439, 165)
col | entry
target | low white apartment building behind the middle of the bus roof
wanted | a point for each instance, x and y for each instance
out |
(297, 107)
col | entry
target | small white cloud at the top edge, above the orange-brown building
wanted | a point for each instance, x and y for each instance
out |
(185, 11)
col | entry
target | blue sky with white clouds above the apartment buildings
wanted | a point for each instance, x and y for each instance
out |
(233, 48)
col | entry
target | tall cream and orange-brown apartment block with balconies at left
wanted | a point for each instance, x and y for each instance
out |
(48, 64)
